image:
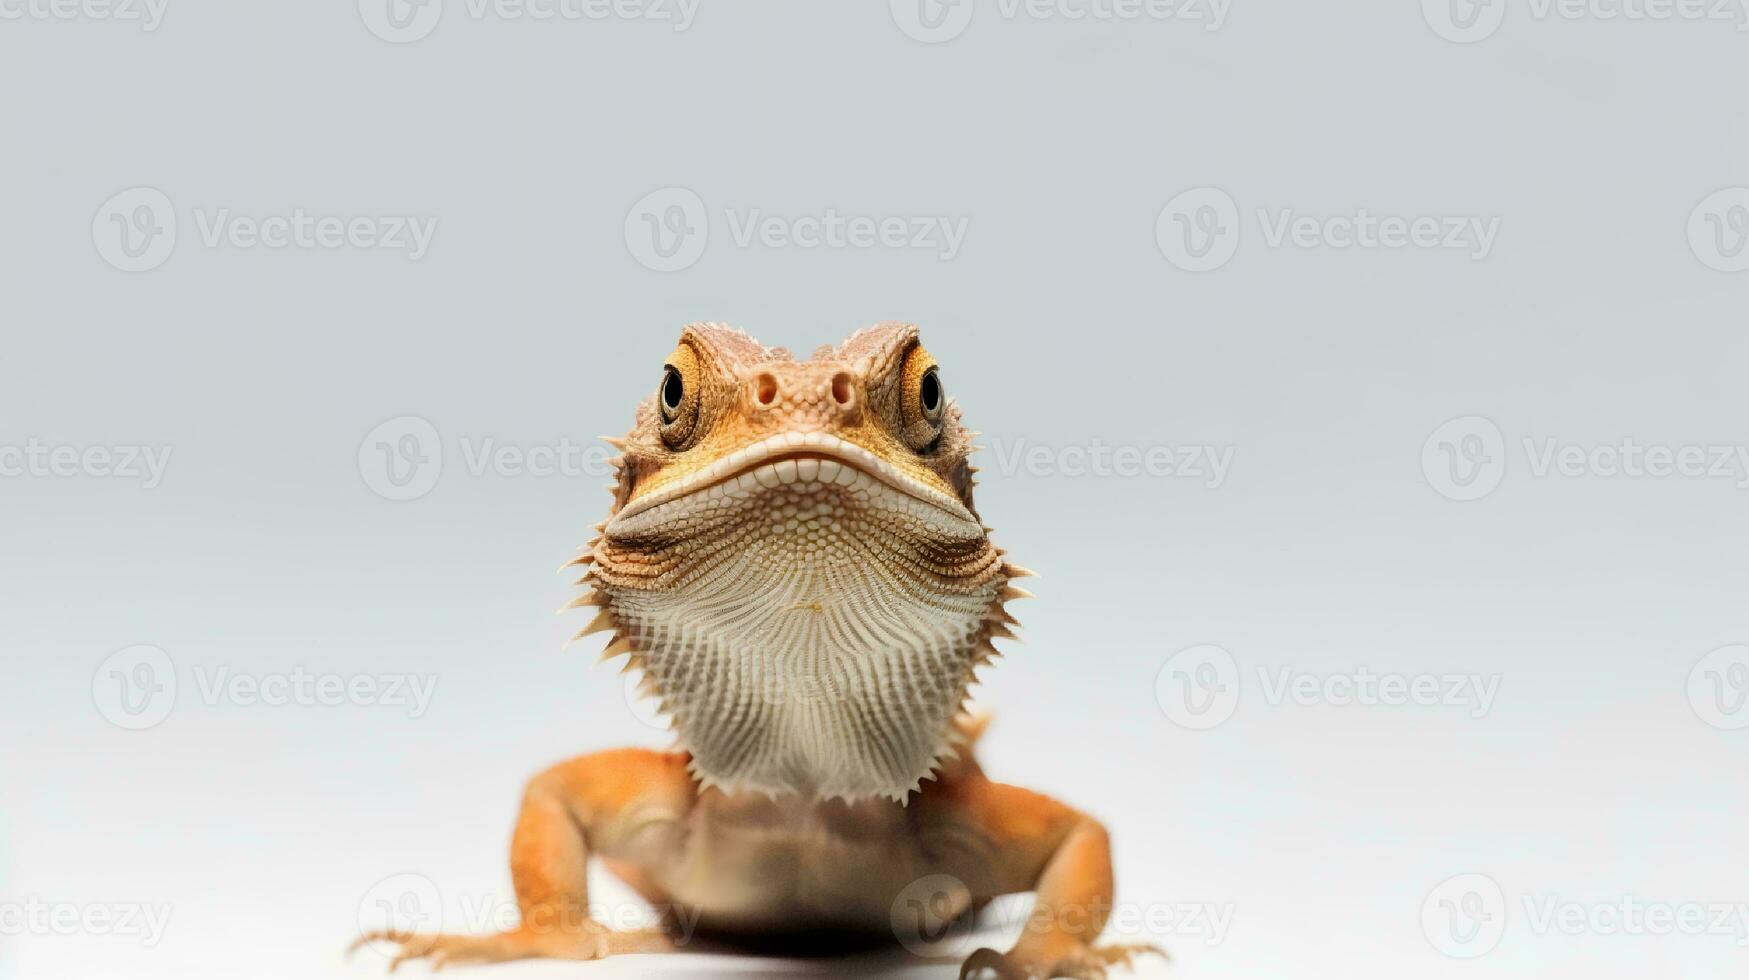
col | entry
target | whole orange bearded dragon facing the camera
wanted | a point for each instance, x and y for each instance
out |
(795, 564)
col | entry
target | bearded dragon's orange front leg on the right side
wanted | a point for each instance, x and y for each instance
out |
(1042, 846)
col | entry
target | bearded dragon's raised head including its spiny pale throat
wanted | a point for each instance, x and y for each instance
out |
(795, 563)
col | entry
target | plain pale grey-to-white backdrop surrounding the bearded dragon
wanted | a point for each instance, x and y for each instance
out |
(1063, 321)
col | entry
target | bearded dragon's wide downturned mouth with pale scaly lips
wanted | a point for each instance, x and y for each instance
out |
(798, 458)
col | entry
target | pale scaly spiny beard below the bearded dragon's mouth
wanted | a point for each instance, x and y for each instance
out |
(805, 640)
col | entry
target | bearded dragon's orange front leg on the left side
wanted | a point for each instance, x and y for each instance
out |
(624, 804)
